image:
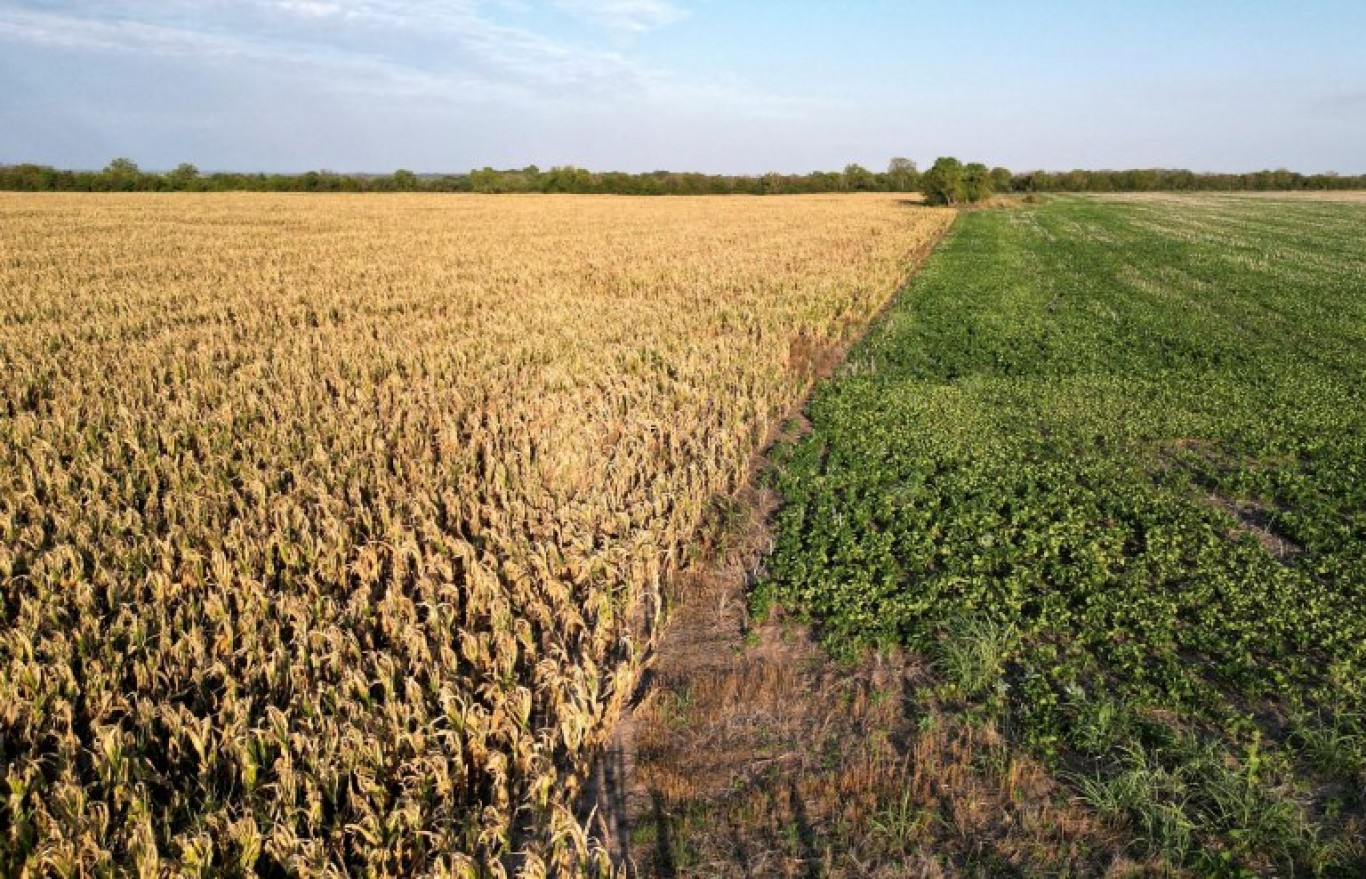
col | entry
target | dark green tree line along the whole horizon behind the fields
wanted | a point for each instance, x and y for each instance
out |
(949, 181)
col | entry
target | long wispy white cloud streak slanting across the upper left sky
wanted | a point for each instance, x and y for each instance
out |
(438, 47)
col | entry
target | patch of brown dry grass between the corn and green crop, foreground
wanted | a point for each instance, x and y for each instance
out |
(753, 754)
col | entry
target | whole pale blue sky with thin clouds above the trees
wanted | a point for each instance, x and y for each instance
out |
(688, 85)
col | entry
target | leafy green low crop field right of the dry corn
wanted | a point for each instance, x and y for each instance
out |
(1100, 478)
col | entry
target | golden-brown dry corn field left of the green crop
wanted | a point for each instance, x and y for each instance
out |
(334, 530)
